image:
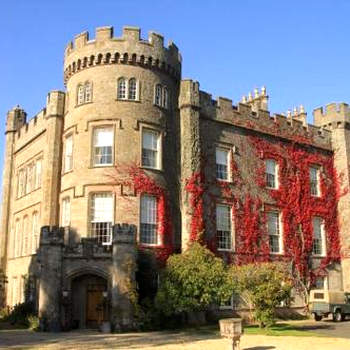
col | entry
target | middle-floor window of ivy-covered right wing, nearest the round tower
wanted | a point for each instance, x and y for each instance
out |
(223, 227)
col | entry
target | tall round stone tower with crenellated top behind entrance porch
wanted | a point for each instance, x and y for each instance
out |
(120, 113)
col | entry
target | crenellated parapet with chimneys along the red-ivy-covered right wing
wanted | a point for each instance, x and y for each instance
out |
(246, 115)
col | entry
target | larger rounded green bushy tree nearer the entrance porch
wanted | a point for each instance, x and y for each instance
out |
(192, 281)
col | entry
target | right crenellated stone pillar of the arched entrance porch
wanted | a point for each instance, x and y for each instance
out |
(123, 271)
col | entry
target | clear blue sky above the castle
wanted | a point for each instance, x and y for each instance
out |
(299, 49)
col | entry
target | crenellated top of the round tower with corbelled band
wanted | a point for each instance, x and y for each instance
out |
(130, 48)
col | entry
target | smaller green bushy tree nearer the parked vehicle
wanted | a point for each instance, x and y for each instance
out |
(262, 286)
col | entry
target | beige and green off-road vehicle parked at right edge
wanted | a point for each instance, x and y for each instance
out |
(326, 302)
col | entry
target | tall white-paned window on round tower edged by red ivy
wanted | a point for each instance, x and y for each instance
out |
(148, 229)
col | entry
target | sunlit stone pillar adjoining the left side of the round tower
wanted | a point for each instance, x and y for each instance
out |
(53, 158)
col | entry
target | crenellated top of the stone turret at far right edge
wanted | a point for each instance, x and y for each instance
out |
(330, 115)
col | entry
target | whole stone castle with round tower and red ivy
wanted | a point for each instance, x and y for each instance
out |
(131, 163)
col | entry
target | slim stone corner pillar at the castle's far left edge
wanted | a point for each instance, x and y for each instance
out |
(16, 118)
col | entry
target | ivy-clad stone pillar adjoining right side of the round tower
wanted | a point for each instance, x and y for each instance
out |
(190, 149)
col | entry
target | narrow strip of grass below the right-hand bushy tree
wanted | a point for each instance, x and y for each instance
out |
(281, 329)
